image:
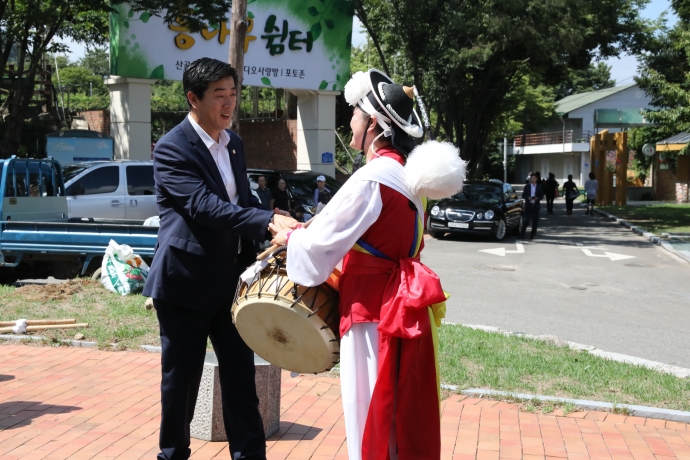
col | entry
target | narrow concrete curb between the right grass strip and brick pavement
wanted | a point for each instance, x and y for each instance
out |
(637, 411)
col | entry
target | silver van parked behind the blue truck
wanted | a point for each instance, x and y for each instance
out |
(120, 189)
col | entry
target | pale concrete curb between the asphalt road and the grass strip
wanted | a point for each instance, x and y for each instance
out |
(677, 371)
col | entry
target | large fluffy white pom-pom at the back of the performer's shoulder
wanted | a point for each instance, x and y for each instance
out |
(435, 170)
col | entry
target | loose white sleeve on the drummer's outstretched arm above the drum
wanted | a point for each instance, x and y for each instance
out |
(315, 251)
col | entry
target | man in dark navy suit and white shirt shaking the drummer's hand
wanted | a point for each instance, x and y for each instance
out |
(207, 218)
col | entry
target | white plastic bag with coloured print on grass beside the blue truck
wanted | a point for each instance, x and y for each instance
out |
(123, 272)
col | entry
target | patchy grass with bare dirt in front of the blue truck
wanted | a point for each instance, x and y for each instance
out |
(113, 319)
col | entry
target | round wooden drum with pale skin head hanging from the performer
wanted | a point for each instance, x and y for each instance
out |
(291, 326)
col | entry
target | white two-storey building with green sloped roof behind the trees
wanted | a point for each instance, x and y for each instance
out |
(563, 147)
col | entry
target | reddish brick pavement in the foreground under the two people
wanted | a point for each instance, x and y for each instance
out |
(73, 403)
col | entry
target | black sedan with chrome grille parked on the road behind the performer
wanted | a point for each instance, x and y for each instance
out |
(489, 207)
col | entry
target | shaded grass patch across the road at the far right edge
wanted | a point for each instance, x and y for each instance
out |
(657, 218)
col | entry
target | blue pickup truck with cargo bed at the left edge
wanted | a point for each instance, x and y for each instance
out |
(38, 240)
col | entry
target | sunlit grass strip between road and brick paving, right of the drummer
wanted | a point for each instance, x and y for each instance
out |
(471, 358)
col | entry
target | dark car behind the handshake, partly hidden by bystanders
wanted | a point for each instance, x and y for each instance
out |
(300, 185)
